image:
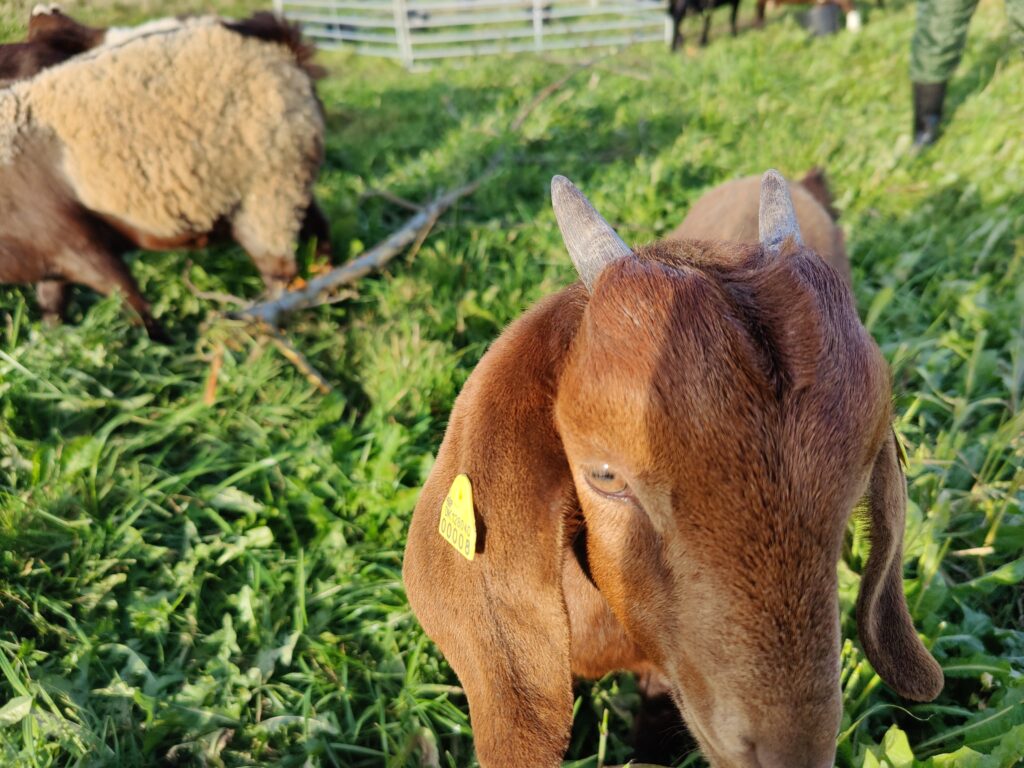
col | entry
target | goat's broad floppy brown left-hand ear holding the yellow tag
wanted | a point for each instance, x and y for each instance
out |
(501, 619)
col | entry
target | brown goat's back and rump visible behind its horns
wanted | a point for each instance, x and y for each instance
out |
(731, 212)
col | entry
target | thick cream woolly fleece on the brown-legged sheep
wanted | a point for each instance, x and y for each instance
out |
(173, 133)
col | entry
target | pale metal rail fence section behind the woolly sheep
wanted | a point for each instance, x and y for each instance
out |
(414, 31)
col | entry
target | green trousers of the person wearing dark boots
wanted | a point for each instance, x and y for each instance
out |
(942, 34)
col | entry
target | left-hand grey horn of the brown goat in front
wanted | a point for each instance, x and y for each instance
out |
(590, 240)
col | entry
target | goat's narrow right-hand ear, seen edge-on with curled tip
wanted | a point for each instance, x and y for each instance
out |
(883, 620)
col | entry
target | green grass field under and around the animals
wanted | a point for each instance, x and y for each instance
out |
(220, 585)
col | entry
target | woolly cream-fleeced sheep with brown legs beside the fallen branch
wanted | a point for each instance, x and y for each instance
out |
(157, 144)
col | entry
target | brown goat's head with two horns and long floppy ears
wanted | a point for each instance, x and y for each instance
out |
(663, 460)
